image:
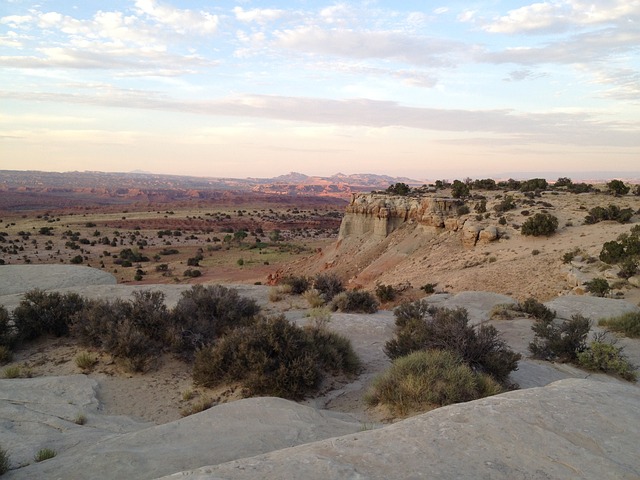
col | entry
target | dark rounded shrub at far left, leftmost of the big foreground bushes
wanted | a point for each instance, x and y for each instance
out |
(41, 313)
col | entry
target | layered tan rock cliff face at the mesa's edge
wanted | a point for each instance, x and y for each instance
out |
(380, 214)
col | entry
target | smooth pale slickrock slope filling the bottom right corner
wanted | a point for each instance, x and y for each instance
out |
(570, 429)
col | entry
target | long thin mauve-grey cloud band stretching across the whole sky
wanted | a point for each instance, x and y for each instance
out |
(524, 128)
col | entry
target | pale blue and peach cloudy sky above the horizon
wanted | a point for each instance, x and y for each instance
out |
(258, 89)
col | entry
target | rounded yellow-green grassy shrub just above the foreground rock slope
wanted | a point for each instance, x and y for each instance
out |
(425, 380)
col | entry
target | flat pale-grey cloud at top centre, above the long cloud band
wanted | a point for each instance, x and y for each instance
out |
(424, 51)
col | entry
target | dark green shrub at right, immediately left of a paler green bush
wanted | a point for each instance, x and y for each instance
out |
(560, 340)
